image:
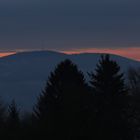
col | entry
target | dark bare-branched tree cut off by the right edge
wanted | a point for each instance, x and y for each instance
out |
(134, 90)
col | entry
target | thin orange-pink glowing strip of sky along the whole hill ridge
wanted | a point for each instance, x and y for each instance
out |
(131, 53)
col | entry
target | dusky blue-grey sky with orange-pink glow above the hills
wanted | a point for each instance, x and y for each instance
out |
(71, 26)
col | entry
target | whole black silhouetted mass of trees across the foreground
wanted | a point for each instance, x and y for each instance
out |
(69, 108)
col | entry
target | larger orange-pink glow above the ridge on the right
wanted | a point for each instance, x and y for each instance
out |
(129, 52)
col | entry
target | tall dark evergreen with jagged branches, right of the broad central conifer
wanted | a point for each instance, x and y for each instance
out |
(110, 100)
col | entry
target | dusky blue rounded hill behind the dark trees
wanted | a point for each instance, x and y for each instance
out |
(23, 75)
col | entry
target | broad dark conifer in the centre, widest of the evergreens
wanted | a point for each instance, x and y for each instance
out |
(63, 103)
